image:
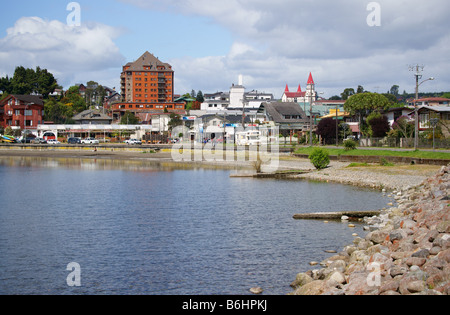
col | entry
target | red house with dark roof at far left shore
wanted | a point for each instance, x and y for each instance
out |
(22, 112)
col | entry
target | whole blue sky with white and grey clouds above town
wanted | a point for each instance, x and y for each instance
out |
(209, 43)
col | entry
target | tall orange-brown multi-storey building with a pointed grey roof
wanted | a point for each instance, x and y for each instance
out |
(147, 85)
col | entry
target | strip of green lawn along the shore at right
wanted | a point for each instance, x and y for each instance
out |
(367, 152)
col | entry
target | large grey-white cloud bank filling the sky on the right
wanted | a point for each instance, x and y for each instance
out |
(279, 42)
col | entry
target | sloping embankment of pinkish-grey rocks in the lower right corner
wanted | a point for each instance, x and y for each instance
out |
(406, 250)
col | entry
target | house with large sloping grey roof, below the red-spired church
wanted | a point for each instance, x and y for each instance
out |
(288, 116)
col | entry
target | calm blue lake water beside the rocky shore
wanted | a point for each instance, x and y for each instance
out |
(156, 229)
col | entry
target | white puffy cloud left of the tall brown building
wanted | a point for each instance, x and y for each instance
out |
(72, 53)
